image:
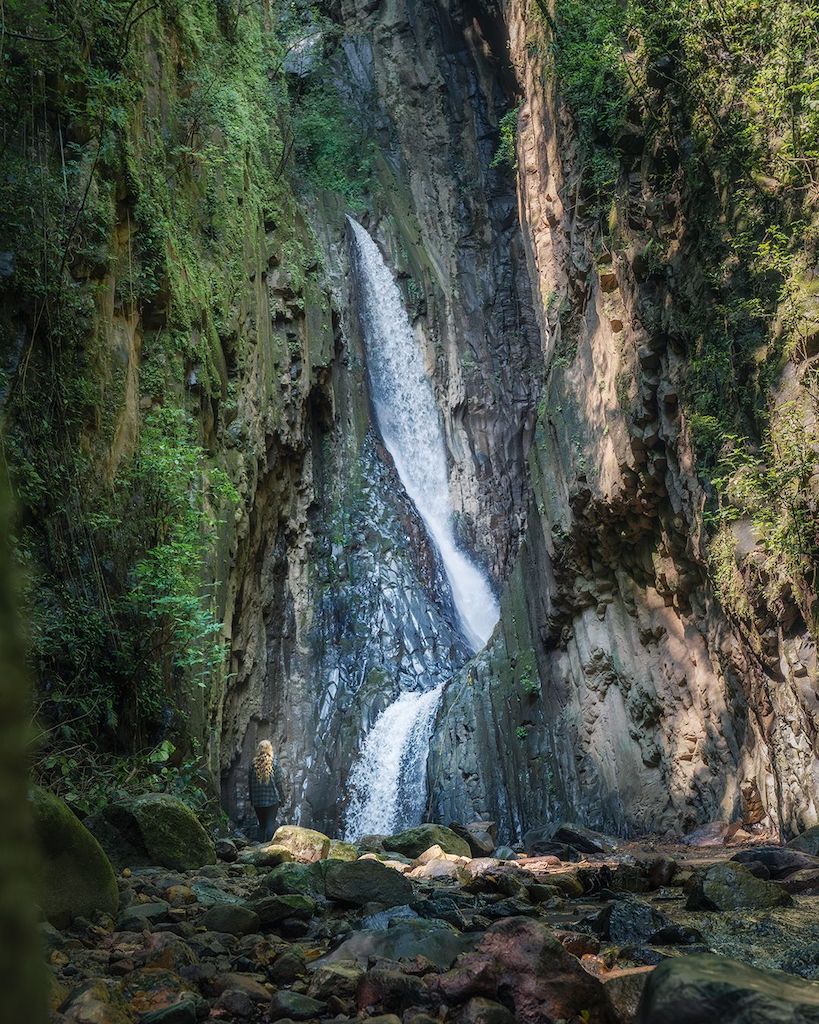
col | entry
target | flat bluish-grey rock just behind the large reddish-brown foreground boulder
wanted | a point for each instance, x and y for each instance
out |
(405, 941)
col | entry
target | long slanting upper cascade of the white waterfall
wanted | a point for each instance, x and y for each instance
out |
(409, 421)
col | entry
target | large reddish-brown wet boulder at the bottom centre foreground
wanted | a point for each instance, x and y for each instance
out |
(522, 959)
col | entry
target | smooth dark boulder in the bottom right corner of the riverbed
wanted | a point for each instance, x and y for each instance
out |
(698, 989)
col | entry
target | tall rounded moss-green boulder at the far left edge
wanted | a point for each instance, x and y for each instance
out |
(77, 879)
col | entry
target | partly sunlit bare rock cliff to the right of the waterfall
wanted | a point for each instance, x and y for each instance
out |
(618, 692)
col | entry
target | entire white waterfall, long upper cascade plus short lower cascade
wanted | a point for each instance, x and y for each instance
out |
(389, 782)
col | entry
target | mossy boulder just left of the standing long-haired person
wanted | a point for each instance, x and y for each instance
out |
(154, 830)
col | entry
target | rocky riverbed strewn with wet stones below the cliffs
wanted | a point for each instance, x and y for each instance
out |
(427, 927)
